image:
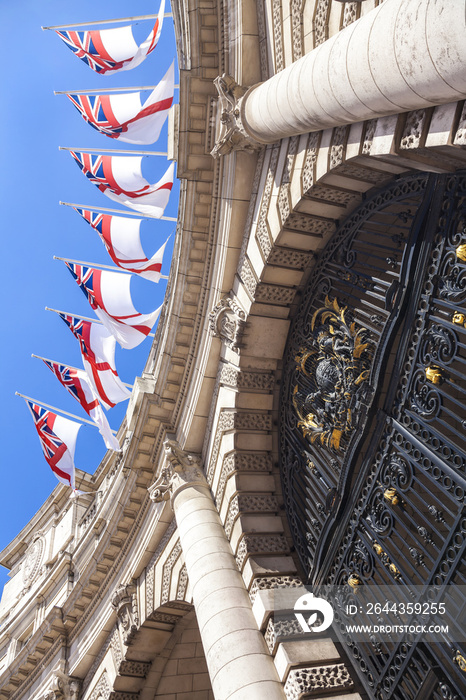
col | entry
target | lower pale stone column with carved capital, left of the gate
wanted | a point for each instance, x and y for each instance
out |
(240, 666)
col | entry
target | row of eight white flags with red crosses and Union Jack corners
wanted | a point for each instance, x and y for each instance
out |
(127, 118)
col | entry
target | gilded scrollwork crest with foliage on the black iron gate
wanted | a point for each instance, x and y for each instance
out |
(332, 370)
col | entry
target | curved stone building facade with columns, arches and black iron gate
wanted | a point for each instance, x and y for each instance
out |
(310, 134)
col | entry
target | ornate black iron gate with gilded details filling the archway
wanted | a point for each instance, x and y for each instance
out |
(373, 421)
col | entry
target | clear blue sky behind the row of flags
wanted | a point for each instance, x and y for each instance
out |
(34, 177)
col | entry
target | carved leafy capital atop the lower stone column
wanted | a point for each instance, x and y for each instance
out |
(182, 469)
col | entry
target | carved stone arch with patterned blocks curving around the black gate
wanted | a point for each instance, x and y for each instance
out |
(304, 187)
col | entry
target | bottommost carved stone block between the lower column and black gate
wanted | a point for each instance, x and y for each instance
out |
(320, 679)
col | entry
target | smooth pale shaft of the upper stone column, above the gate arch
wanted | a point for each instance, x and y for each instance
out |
(403, 55)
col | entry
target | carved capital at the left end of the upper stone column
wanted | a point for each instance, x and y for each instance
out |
(231, 134)
